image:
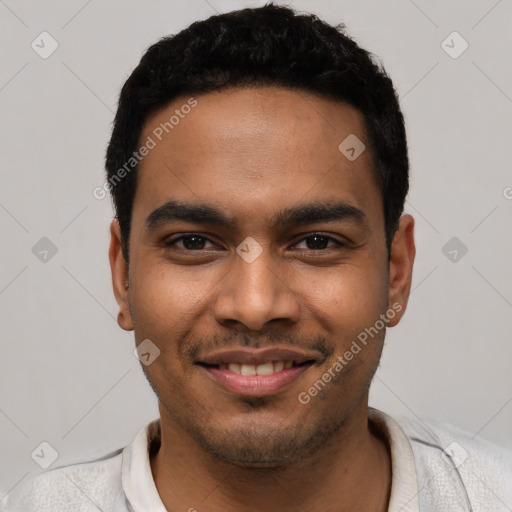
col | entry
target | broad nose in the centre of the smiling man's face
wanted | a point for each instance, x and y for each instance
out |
(255, 294)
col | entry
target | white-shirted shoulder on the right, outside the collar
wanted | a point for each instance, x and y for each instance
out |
(453, 463)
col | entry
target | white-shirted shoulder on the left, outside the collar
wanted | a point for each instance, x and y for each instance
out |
(84, 486)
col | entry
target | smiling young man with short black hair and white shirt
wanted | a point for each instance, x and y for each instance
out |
(258, 166)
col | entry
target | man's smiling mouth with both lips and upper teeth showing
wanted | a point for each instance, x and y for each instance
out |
(256, 373)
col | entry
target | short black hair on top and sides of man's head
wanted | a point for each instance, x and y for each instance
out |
(266, 46)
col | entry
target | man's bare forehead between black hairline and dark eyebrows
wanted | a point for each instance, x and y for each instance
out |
(253, 151)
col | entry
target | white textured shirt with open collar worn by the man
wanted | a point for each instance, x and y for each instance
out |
(423, 479)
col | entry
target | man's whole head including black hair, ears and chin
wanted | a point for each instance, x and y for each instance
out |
(233, 136)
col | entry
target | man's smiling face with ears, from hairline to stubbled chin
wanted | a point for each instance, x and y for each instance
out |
(256, 245)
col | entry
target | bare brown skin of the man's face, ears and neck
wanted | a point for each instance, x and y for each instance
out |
(251, 152)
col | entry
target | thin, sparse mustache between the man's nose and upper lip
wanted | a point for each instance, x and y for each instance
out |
(201, 345)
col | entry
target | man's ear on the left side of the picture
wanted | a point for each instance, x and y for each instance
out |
(119, 277)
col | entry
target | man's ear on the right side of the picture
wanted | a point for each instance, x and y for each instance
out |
(401, 262)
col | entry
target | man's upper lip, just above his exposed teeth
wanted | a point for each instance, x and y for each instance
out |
(258, 356)
